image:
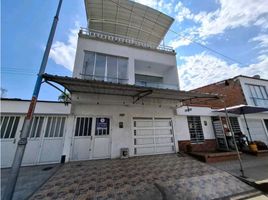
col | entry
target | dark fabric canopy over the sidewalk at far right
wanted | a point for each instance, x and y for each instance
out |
(243, 109)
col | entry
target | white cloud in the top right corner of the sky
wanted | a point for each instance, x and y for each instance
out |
(230, 14)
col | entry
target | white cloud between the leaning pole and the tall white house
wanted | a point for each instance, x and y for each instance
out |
(63, 53)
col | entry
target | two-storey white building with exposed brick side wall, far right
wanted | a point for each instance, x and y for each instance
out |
(245, 90)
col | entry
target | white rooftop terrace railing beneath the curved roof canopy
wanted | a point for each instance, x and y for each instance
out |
(124, 40)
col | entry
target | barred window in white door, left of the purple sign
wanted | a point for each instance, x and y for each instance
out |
(83, 126)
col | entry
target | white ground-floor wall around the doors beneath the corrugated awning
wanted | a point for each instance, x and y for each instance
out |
(112, 107)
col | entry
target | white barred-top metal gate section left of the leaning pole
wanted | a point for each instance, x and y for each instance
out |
(9, 138)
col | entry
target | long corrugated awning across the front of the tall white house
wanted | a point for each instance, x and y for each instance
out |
(75, 85)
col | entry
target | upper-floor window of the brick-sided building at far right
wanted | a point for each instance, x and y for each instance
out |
(258, 95)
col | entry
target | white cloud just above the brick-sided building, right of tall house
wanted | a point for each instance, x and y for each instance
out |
(202, 69)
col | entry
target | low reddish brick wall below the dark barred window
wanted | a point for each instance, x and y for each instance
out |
(208, 145)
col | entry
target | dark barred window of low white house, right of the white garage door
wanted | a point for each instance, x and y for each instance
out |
(195, 129)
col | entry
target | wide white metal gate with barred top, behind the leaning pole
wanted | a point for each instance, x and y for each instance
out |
(45, 139)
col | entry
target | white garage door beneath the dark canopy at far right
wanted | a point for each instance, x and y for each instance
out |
(257, 130)
